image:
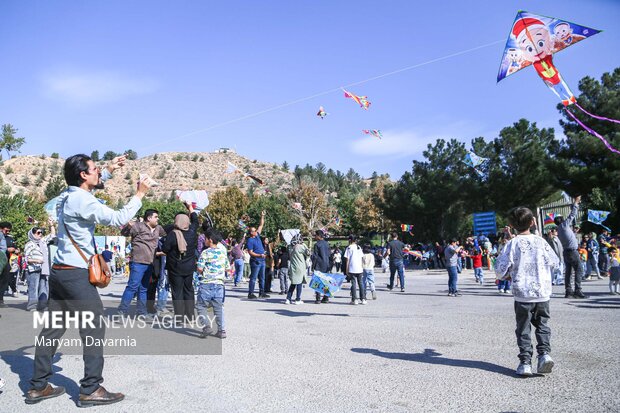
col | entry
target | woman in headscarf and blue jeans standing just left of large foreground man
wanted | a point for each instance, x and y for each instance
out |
(38, 269)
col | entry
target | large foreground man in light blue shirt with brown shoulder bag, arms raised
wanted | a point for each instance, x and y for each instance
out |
(70, 290)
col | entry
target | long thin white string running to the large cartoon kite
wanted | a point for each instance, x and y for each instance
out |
(294, 102)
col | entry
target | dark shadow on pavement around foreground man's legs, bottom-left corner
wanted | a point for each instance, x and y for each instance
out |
(22, 366)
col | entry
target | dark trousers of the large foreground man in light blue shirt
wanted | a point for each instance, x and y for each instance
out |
(71, 292)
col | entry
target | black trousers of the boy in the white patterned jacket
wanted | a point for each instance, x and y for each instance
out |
(528, 315)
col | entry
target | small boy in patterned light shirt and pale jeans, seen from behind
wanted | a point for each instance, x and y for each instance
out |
(212, 266)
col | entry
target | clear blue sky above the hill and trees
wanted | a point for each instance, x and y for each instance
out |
(159, 76)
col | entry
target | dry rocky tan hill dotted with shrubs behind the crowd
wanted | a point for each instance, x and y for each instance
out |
(172, 170)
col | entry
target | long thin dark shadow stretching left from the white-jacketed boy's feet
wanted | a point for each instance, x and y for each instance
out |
(430, 356)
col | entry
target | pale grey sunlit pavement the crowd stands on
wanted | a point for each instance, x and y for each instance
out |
(418, 351)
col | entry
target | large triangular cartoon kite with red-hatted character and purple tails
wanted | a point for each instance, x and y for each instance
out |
(532, 41)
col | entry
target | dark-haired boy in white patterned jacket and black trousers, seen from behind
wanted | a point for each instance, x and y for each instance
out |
(528, 260)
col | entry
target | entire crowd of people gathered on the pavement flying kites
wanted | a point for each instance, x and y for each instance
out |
(194, 262)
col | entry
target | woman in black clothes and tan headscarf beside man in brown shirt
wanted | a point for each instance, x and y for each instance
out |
(180, 249)
